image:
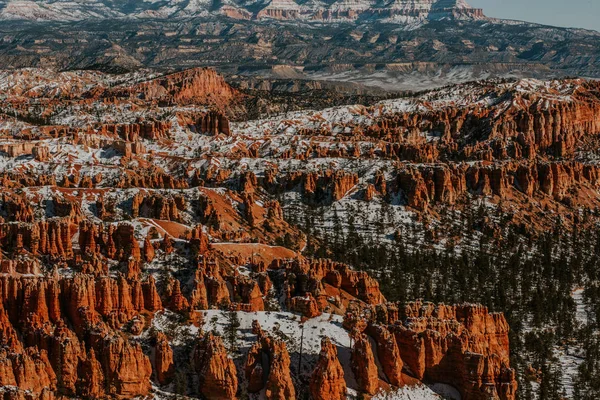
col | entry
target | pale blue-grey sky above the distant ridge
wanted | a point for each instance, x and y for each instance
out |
(570, 13)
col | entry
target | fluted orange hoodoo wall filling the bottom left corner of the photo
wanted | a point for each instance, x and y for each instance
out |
(43, 308)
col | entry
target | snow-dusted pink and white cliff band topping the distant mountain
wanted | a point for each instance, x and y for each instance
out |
(400, 11)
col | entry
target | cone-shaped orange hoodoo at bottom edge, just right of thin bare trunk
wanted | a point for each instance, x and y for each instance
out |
(327, 382)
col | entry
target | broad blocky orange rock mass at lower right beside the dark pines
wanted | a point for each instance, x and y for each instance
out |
(461, 345)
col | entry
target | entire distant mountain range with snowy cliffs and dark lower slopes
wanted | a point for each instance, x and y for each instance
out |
(389, 44)
